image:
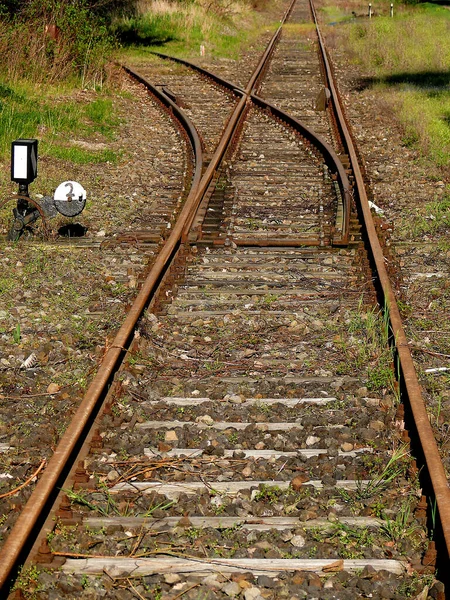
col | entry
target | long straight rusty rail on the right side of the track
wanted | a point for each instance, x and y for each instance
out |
(435, 467)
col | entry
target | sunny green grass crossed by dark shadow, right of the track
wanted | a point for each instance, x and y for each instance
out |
(406, 60)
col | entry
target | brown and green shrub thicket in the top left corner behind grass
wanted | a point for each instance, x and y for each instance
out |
(49, 40)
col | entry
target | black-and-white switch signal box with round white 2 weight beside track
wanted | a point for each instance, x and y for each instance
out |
(69, 198)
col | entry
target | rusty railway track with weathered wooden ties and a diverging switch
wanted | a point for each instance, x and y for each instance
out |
(252, 443)
